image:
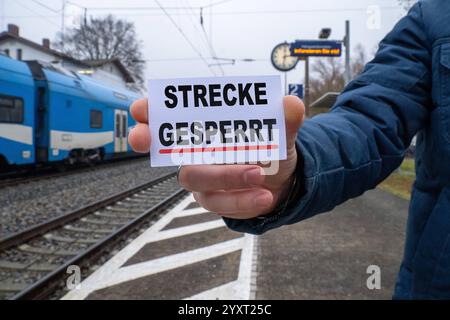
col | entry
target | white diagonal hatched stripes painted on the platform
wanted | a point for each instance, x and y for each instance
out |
(112, 272)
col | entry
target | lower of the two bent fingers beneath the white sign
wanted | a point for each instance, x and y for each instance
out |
(243, 204)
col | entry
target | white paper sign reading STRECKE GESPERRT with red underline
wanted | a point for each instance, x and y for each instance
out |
(216, 120)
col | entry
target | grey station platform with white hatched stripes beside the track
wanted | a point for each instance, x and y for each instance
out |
(190, 254)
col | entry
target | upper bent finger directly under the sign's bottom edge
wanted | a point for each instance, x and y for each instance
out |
(216, 177)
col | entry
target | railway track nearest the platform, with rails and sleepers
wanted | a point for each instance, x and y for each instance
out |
(34, 262)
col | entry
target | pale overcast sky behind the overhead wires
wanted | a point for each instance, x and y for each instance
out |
(237, 28)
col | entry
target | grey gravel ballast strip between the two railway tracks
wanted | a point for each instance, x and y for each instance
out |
(32, 203)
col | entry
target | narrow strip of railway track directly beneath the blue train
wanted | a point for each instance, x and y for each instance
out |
(27, 176)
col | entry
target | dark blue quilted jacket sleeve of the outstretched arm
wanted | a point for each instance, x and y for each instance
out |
(363, 139)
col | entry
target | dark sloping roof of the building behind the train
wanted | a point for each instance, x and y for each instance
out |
(85, 63)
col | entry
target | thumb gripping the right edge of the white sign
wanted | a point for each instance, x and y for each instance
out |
(294, 112)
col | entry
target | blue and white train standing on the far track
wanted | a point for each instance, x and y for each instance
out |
(48, 115)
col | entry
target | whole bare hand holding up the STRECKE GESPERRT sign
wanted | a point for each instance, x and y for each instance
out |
(235, 191)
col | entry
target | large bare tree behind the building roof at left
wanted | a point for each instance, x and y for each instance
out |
(104, 39)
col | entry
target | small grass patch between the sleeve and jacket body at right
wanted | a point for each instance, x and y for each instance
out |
(400, 182)
